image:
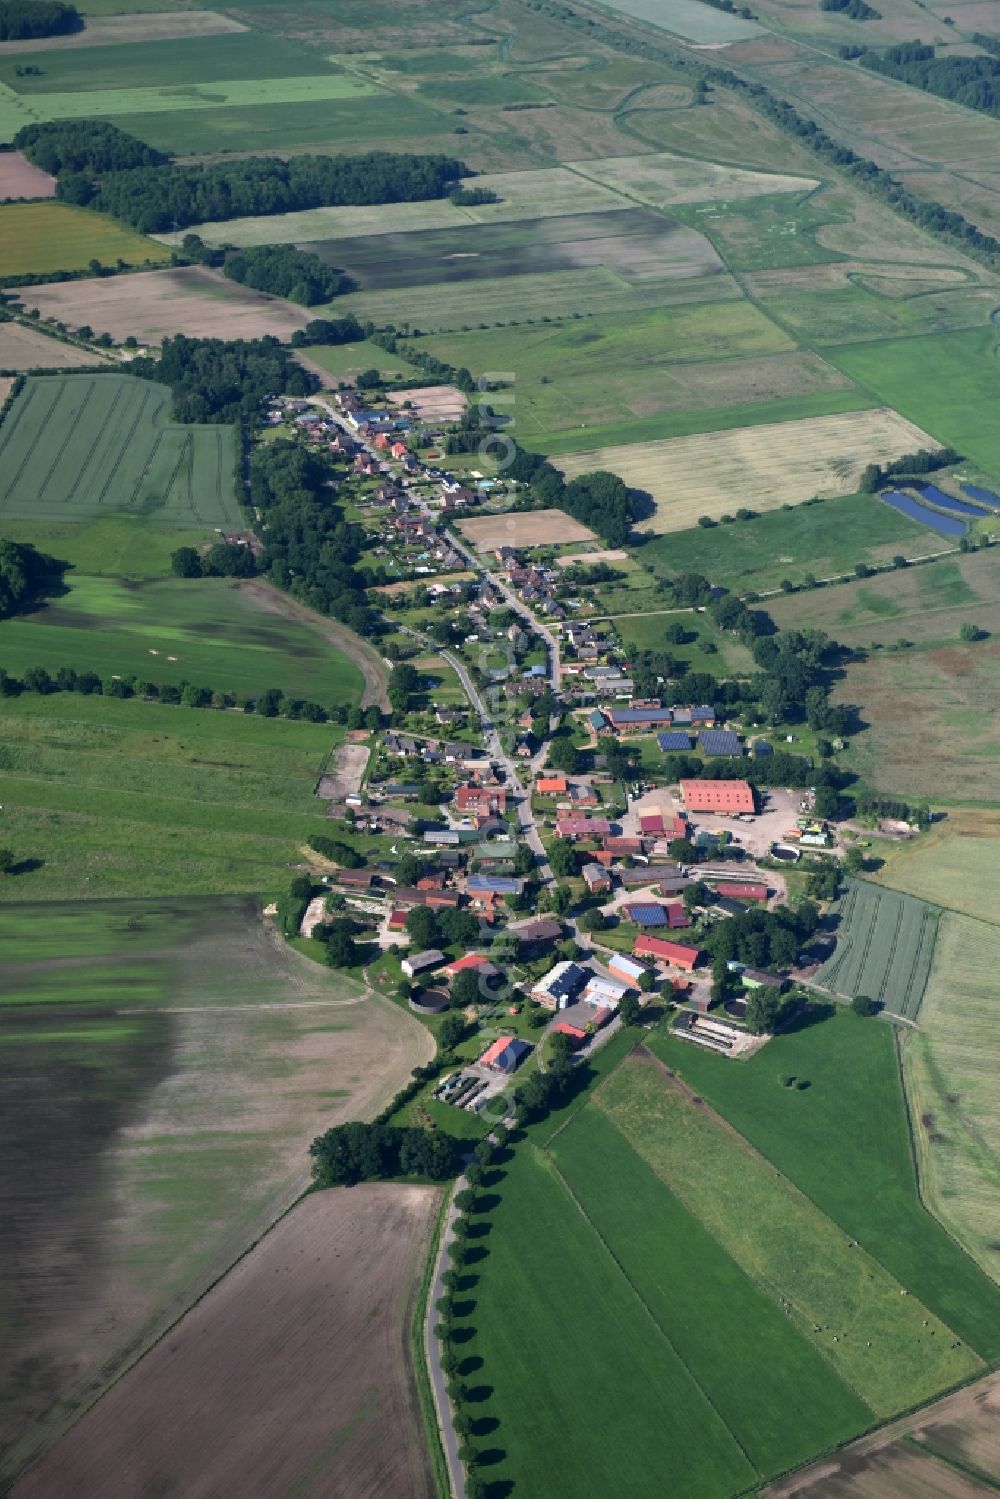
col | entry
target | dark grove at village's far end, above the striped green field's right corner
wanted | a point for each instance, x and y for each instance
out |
(224, 380)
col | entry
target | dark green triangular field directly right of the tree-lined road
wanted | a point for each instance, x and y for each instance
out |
(548, 1441)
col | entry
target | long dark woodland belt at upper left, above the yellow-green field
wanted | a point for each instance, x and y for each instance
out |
(101, 167)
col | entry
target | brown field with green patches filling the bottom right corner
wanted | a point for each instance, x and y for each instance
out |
(962, 1429)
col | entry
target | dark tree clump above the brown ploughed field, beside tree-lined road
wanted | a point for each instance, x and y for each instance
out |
(358, 1152)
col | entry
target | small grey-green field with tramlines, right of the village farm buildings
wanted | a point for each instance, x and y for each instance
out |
(884, 948)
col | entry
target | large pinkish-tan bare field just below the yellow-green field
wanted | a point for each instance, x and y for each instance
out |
(155, 305)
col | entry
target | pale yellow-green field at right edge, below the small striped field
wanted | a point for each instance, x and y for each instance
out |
(950, 1070)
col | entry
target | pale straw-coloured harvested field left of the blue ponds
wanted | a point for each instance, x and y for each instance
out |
(759, 467)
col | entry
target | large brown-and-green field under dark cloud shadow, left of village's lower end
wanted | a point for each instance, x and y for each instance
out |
(173, 1062)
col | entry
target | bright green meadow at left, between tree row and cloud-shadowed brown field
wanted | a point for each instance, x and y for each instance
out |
(107, 797)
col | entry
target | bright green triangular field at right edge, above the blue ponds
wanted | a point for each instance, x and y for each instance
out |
(950, 384)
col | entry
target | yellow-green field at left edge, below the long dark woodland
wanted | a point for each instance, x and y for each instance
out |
(46, 238)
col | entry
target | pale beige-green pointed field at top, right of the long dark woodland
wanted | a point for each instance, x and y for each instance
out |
(665, 179)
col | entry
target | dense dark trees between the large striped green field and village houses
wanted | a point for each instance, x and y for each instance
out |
(310, 549)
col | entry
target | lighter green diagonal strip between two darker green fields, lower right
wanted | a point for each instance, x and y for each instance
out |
(890, 1348)
